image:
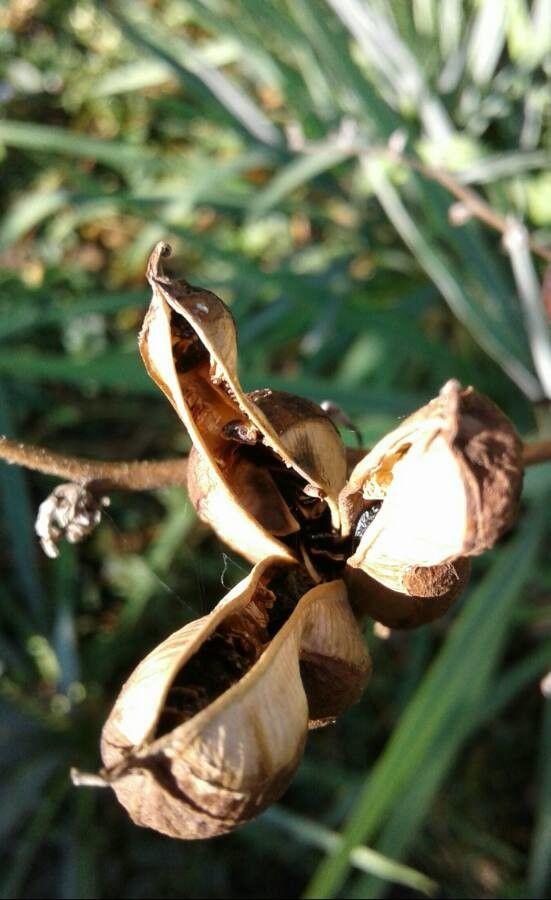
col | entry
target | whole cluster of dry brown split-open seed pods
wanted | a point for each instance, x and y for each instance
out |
(210, 727)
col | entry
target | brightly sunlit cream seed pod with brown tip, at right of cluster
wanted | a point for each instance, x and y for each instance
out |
(449, 480)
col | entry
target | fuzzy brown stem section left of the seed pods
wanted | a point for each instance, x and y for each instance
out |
(146, 475)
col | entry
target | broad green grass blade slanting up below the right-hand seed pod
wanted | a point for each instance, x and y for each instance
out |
(437, 720)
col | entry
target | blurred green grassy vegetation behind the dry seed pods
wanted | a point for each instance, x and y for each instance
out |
(254, 134)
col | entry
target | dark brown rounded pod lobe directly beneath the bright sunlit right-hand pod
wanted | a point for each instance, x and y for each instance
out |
(426, 595)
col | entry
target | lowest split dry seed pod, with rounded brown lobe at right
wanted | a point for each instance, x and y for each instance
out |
(210, 727)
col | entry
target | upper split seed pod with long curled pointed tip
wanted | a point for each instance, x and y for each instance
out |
(188, 343)
